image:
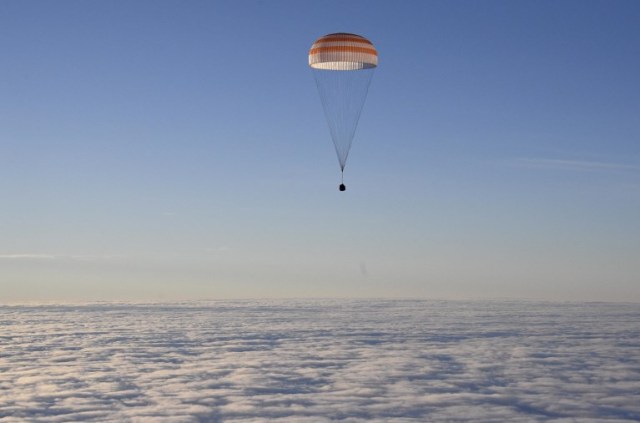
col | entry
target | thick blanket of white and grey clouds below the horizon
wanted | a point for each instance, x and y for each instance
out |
(321, 360)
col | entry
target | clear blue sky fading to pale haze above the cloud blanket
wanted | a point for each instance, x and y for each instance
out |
(164, 150)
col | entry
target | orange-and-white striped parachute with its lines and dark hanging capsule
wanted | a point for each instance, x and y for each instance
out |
(343, 66)
